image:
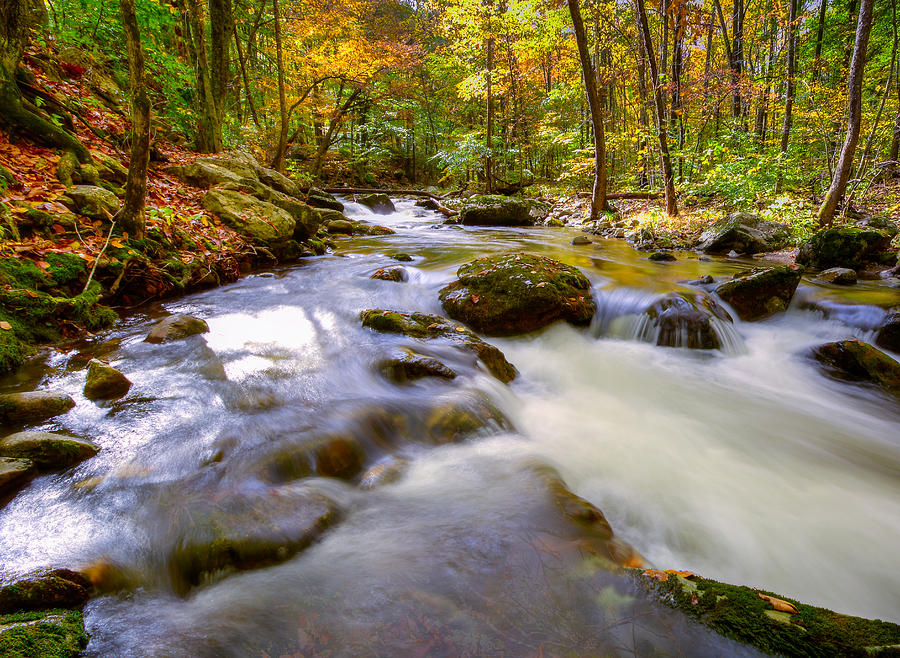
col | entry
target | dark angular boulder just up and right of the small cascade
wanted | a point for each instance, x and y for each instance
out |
(760, 292)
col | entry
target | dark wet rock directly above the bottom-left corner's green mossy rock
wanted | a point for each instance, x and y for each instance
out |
(43, 589)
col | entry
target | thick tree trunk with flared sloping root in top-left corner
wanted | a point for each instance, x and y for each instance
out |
(17, 18)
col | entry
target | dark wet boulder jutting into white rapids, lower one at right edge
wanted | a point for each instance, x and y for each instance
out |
(858, 361)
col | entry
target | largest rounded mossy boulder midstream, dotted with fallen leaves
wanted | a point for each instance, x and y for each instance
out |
(517, 293)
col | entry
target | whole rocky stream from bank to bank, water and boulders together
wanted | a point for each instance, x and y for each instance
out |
(461, 440)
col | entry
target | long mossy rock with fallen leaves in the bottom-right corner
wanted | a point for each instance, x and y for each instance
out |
(741, 614)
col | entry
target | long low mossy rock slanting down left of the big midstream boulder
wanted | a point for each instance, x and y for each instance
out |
(427, 326)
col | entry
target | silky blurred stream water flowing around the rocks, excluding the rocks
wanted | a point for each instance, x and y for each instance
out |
(743, 463)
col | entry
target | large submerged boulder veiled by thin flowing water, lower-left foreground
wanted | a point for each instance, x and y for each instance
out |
(246, 530)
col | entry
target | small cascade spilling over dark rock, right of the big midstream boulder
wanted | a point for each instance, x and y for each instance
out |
(688, 320)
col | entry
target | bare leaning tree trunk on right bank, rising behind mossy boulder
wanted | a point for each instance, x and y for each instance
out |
(854, 115)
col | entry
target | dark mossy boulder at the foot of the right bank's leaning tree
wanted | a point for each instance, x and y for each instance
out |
(845, 247)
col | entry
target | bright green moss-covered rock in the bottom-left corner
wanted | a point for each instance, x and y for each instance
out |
(48, 634)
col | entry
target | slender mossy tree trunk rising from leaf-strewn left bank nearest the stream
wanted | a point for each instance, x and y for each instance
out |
(131, 216)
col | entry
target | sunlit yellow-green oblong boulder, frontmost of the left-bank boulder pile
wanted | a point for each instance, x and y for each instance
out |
(255, 219)
